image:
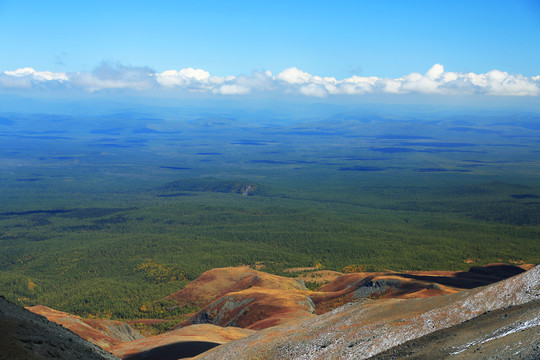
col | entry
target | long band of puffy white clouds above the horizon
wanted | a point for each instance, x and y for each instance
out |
(292, 81)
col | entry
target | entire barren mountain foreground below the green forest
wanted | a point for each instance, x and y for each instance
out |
(383, 310)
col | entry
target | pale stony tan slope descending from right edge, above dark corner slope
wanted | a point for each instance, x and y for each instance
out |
(365, 328)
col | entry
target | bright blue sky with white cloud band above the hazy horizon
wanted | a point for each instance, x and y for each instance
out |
(315, 49)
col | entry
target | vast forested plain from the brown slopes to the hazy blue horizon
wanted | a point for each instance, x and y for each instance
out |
(105, 216)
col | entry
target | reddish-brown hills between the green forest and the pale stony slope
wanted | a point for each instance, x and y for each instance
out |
(257, 300)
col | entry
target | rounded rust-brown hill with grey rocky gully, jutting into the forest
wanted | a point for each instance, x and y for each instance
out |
(242, 297)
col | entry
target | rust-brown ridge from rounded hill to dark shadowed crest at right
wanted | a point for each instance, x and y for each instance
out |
(243, 297)
